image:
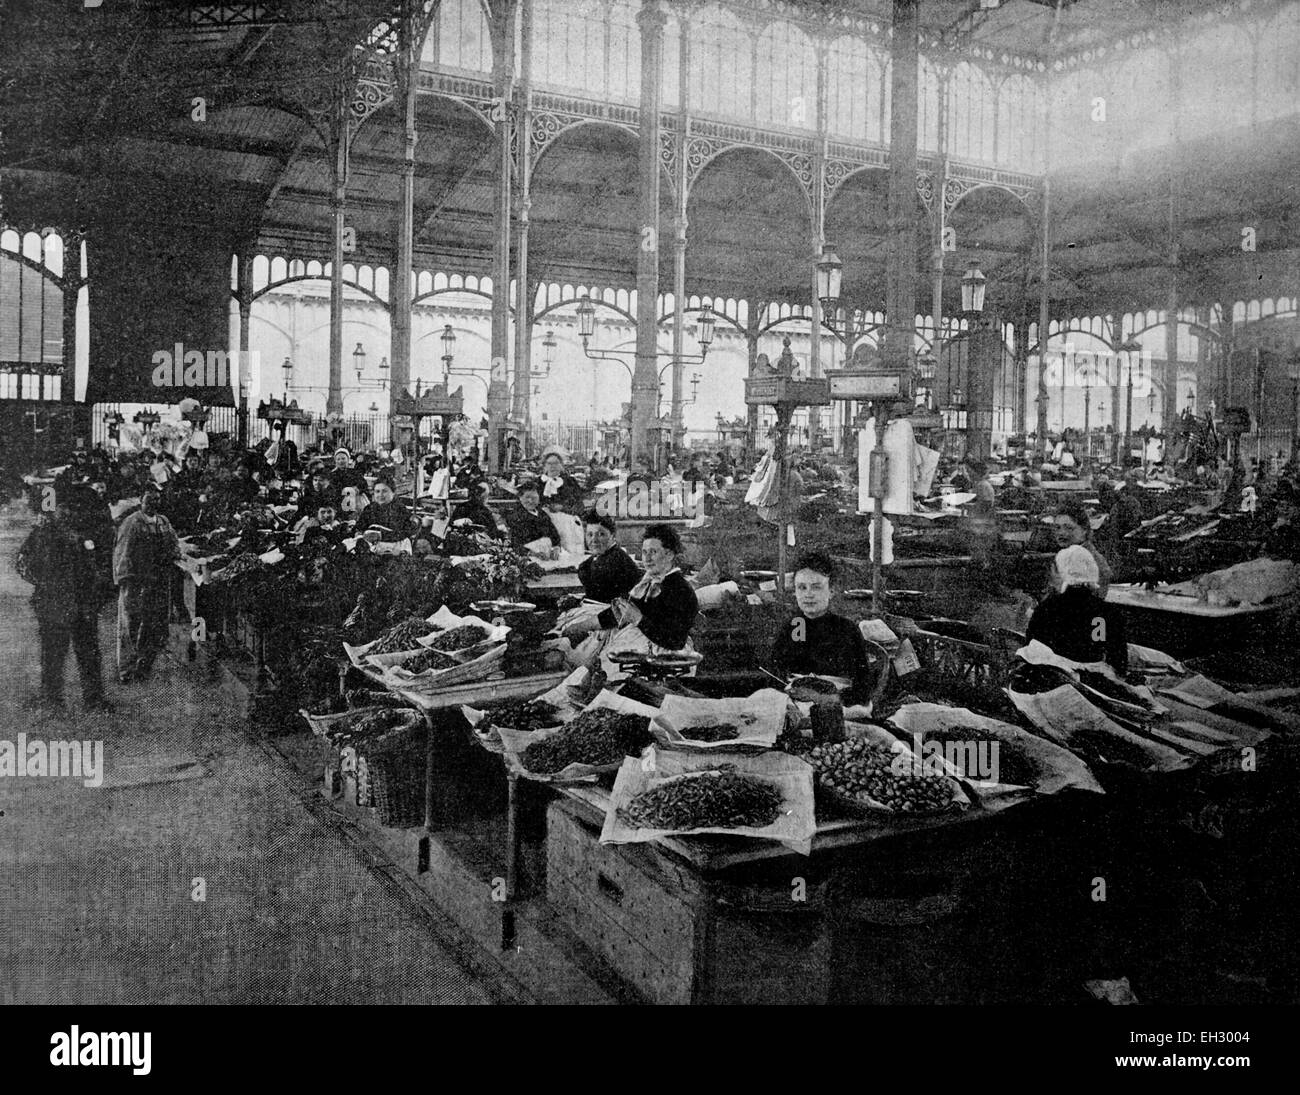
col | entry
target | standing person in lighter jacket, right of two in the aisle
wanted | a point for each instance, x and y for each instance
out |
(142, 569)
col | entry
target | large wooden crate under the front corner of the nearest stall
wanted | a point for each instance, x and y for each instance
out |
(675, 936)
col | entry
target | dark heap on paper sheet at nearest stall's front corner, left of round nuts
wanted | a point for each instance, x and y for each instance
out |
(717, 798)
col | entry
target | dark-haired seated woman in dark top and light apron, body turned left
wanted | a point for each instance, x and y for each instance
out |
(660, 611)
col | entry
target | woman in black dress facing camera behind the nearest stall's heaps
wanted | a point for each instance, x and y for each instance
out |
(818, 642)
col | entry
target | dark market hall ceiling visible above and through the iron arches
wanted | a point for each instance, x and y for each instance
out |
(97, 114)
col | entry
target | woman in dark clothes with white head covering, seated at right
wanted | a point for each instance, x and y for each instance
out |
(1076, 622)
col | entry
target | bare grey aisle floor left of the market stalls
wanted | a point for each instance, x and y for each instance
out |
(98, 885)
